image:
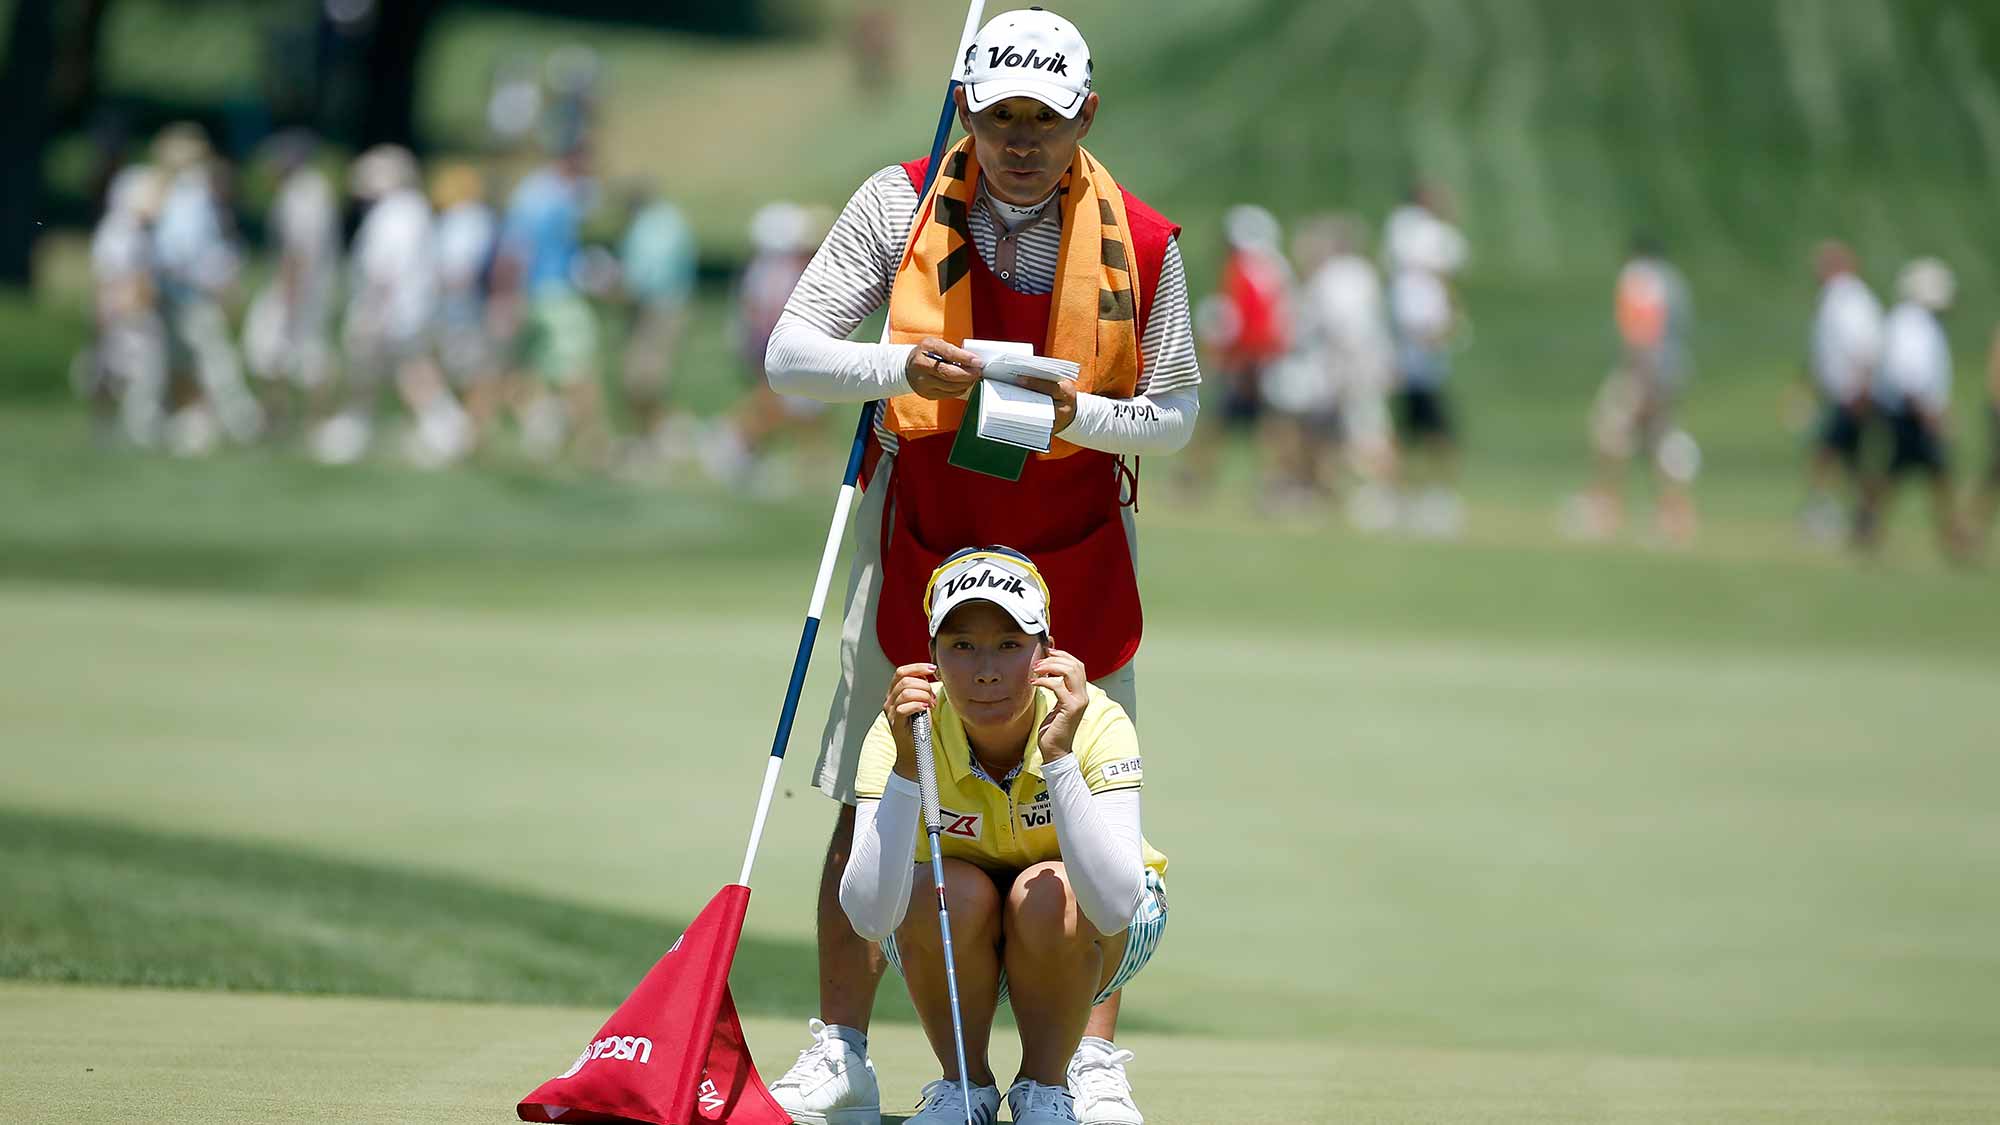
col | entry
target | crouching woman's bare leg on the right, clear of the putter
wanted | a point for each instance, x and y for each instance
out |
(1057, 964)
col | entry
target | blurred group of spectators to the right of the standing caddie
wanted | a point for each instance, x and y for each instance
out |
(1339, 359)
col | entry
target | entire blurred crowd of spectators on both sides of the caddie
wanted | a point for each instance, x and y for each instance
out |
(441, 311)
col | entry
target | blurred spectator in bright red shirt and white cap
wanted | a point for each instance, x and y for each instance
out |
(1249, 329)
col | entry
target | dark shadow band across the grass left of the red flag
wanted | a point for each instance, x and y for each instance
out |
(103, 904)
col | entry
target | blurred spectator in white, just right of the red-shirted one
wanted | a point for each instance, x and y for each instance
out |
(1345, 329)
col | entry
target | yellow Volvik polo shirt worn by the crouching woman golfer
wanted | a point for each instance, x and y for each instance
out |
(1015, 828)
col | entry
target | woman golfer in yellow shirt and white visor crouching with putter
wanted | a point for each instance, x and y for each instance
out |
(1055, 896)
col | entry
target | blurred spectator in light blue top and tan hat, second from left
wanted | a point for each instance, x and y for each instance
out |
(197, 269)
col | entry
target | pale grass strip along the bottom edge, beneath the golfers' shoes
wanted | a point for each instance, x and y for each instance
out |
(89, 1056)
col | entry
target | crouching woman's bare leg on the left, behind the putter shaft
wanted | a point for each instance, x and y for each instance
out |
(975, 906)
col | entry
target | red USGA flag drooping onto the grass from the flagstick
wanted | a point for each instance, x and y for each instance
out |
(675, 1052)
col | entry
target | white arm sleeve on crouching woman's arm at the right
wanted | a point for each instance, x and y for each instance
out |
(1103, 848)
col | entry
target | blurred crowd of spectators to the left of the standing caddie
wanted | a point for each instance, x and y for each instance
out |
(431, 307)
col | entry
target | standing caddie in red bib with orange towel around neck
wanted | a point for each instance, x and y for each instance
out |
(1025, 237)
